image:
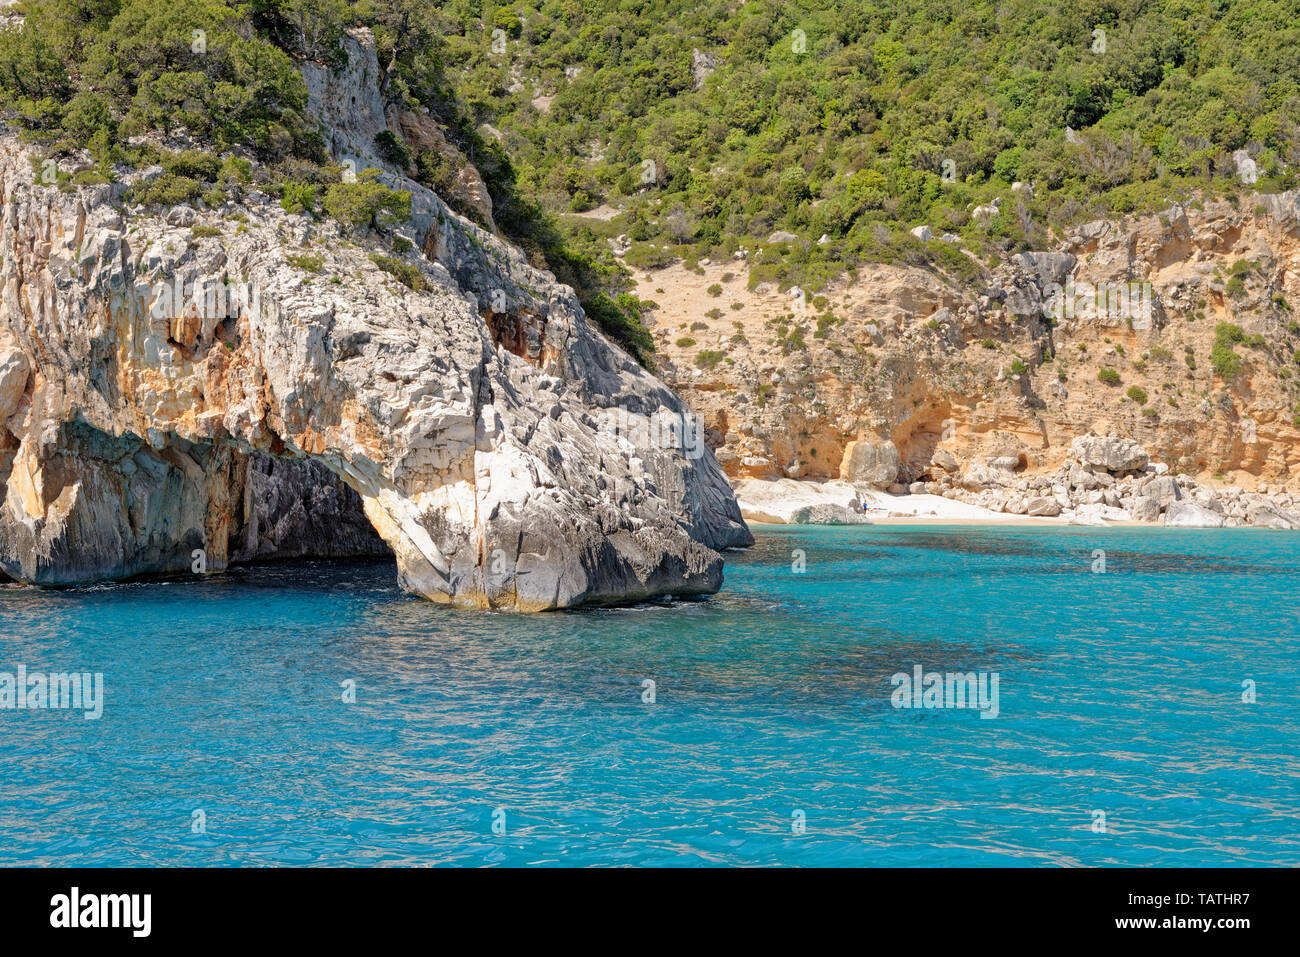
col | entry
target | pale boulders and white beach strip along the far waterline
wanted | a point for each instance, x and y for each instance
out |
(1106, 480)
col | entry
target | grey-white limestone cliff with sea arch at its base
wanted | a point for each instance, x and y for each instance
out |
(166, 389)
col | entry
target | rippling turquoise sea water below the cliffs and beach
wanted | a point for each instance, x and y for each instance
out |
(1123, 737)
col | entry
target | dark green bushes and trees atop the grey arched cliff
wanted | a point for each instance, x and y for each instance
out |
(138, 83)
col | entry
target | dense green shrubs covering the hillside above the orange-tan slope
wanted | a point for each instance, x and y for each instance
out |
(861, 119)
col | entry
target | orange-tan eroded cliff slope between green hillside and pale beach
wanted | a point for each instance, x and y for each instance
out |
(938, 370)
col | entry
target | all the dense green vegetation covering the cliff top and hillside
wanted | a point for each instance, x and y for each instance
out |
(710, 124)
